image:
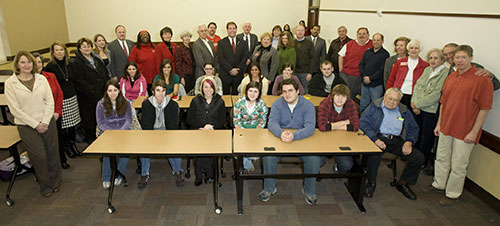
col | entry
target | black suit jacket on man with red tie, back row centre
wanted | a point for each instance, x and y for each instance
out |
(229, 60)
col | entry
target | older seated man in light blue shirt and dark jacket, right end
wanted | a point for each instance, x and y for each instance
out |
(391, 126)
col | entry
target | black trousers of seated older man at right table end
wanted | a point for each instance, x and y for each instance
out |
(395, 145)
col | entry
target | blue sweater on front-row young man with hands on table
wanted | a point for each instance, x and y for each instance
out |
(303, 118)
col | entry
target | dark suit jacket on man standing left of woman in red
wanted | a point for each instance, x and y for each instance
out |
(118, 59)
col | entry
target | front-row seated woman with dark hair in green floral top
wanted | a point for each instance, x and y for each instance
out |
(250, 112)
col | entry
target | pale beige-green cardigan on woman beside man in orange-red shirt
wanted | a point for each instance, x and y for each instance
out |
(427, 91)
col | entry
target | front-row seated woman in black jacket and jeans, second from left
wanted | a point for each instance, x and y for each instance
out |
(159, 112)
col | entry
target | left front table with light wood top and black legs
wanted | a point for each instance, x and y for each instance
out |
(170, 143)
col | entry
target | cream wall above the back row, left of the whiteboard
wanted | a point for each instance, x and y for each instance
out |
(87, 18)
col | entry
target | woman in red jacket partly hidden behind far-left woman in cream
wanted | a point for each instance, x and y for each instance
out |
(58, 98)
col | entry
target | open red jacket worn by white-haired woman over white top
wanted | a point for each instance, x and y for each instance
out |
(399, 71)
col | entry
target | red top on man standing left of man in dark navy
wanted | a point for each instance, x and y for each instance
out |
(353, 57)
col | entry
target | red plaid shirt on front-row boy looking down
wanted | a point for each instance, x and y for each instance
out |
(327, 115)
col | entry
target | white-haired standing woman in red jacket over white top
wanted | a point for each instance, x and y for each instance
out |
(402, 77)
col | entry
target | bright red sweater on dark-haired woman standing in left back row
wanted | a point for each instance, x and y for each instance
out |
(145, 60)
